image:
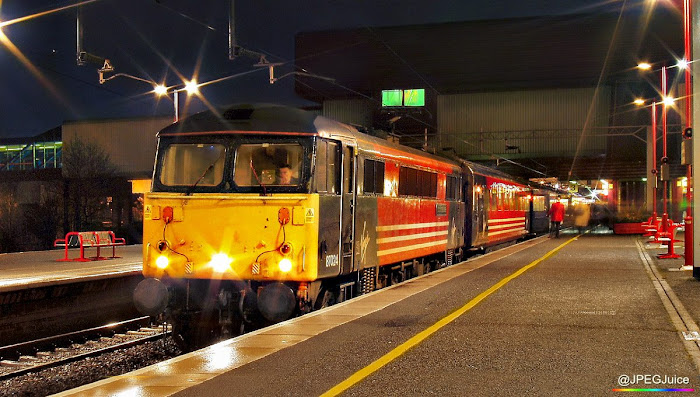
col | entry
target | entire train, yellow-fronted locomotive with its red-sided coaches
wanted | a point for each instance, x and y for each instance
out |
(231, 238)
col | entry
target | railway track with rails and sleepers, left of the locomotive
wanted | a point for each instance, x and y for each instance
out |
(32, 356)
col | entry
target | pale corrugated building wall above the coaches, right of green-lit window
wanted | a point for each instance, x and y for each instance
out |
(535, 123)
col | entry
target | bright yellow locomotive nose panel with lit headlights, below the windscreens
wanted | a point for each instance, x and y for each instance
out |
(223, 237)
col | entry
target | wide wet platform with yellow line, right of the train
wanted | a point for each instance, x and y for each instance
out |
(578, 315)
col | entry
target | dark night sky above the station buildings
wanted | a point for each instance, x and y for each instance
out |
(171, 40)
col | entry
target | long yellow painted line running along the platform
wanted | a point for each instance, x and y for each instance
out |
(418, 338)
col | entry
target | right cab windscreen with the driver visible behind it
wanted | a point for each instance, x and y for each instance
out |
(276, 164)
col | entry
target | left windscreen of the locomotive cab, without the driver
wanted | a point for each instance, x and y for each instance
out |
(199, 164)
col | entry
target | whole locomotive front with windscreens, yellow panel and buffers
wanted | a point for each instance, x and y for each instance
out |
(230, 228)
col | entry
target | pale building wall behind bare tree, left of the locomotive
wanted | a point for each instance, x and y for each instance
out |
(130, 143)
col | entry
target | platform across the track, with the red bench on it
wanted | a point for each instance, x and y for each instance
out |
(42, 296)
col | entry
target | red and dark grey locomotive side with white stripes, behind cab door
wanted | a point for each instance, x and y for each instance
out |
(404, 214)
